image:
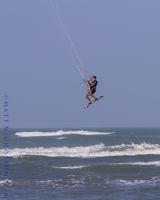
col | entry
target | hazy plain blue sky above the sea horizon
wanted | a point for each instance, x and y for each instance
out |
(118, 41)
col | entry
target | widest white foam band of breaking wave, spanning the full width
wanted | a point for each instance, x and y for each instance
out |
(99, 150)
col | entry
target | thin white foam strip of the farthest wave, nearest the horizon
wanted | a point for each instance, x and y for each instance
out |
(59, 133)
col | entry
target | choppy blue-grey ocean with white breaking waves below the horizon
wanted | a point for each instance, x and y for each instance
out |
(80, 164)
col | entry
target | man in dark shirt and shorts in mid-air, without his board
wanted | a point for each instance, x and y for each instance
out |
(92, 85)
